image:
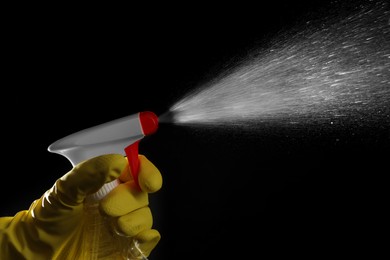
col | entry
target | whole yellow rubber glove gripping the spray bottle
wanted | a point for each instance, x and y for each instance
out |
(53, 226)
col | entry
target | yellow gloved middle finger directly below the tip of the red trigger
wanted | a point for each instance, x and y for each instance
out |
(124, 199)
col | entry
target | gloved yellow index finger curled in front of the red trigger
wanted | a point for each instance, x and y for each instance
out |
(149, 177)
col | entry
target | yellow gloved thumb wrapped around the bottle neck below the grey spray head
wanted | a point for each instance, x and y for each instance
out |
(89, 176)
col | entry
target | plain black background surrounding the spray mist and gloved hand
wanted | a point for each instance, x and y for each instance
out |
(251, 194)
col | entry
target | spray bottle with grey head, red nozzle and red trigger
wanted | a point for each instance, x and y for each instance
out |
(118, 136)
